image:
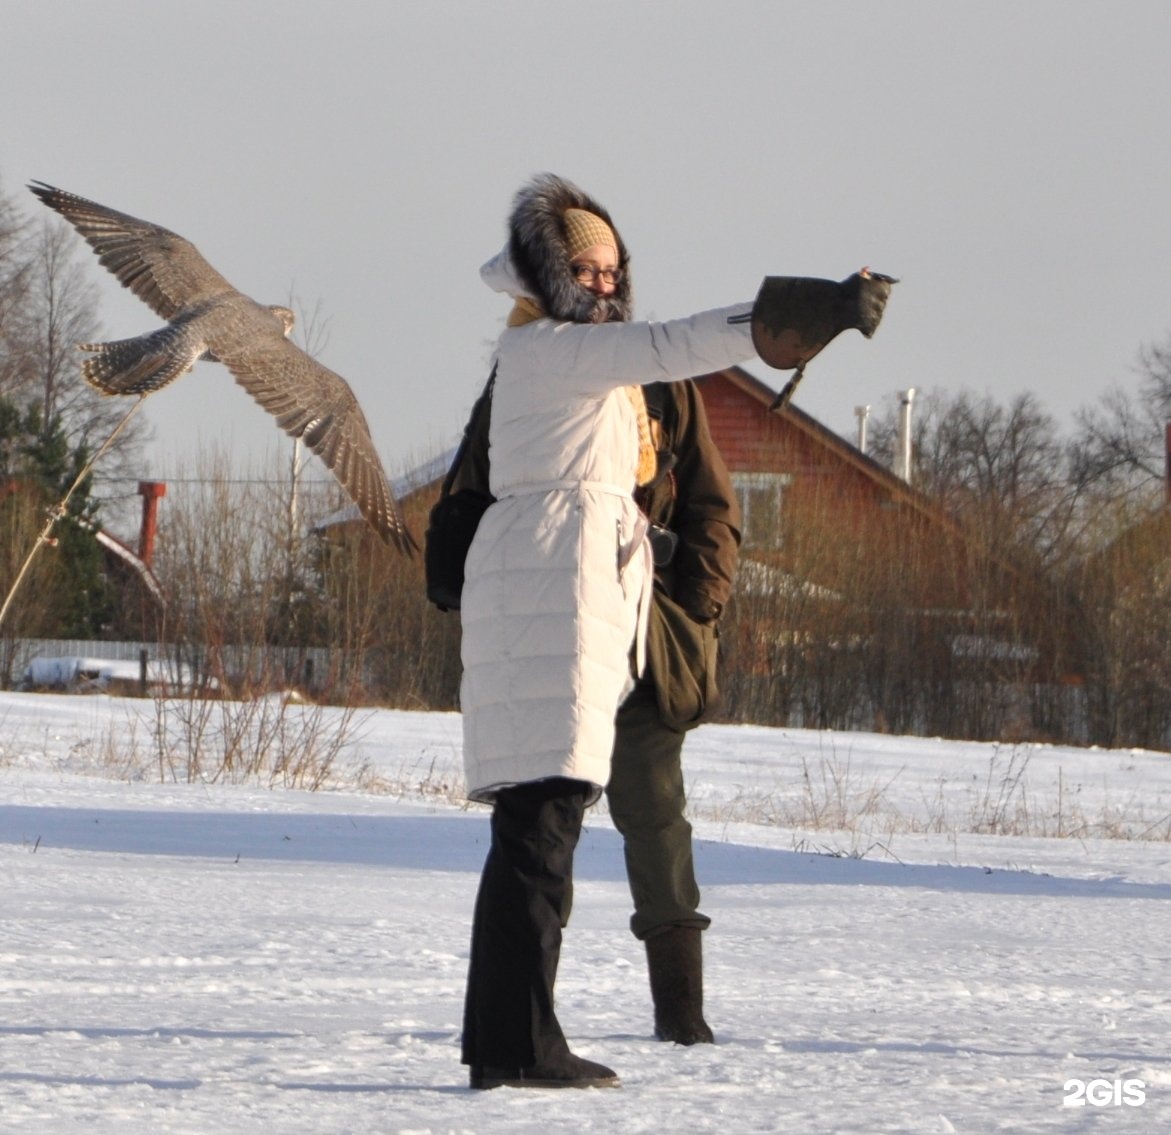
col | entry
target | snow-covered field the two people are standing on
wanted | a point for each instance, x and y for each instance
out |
(234, 958)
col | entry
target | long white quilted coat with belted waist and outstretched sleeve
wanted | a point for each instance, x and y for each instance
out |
(560, 569)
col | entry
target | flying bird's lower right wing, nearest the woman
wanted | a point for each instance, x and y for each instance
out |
(313, 404)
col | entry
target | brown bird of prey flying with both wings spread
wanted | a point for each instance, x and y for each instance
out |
(207, 318)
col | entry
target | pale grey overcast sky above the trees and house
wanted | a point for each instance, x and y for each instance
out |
(1008, 161)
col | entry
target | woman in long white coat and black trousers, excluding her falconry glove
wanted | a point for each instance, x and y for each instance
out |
(558, 583)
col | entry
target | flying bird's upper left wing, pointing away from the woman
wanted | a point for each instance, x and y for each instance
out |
(161, 268)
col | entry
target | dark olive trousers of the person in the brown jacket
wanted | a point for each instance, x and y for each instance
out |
(647, 801)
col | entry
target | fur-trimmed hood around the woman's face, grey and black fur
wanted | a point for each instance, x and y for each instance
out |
(536, 262)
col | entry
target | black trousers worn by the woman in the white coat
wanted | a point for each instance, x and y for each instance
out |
(524, 902)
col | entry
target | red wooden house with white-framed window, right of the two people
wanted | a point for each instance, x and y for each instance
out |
(860, 603)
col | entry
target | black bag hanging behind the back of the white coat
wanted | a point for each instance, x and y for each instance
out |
(457, 514)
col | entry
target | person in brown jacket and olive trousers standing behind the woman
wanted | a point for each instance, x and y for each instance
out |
(696, 539)
